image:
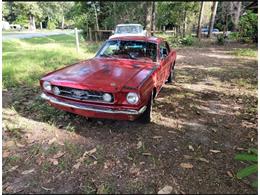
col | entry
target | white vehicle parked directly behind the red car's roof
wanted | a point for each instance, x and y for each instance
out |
(128, 30)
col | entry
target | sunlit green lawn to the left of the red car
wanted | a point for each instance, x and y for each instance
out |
(25, 61)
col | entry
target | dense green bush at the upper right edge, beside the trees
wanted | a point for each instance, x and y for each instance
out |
(248, 28)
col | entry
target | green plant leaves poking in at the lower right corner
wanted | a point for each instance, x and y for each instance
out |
(250, 157)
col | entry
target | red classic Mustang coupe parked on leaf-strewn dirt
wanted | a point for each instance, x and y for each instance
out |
(120, 82)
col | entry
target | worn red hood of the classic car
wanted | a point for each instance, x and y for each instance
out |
(103, 74)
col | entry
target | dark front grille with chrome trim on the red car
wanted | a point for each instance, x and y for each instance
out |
(83, 95)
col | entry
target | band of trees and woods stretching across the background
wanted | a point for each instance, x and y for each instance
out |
(182, 17)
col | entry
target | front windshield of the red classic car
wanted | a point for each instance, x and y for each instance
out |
(129, 49)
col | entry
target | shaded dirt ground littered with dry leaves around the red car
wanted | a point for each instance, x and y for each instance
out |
(200, 122)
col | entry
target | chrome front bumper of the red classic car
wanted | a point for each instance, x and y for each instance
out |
(92, 108)
